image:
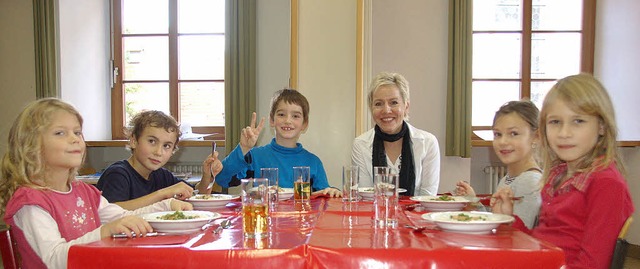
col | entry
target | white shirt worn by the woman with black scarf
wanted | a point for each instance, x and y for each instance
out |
(426, 155)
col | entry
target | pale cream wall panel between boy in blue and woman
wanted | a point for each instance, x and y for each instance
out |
(326, 68)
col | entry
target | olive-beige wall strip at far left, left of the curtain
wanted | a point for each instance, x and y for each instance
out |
(17, 68)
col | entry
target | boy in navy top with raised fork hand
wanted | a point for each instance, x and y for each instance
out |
(141, 179)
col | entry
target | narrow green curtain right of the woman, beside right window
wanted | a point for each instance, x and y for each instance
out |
(458, 141)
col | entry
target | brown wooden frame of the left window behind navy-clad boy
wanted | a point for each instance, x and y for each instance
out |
(117, 94)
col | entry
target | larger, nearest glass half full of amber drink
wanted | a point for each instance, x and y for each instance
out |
(255, 207)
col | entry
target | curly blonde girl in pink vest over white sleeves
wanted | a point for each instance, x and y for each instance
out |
(48, 210)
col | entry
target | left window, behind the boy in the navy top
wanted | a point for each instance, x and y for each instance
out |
(169, 56)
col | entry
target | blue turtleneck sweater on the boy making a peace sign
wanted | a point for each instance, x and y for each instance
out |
(270, 156)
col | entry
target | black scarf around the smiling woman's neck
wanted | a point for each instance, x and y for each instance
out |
(407, 171)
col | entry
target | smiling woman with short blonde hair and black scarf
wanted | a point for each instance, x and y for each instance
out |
(412, 153)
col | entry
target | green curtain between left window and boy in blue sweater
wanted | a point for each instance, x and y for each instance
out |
(240, 68)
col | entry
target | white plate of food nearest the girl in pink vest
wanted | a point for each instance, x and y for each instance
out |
(179, 226)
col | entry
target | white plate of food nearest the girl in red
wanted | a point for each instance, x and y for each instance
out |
(487, 222)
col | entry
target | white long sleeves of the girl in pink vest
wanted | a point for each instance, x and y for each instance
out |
(41, 230)
